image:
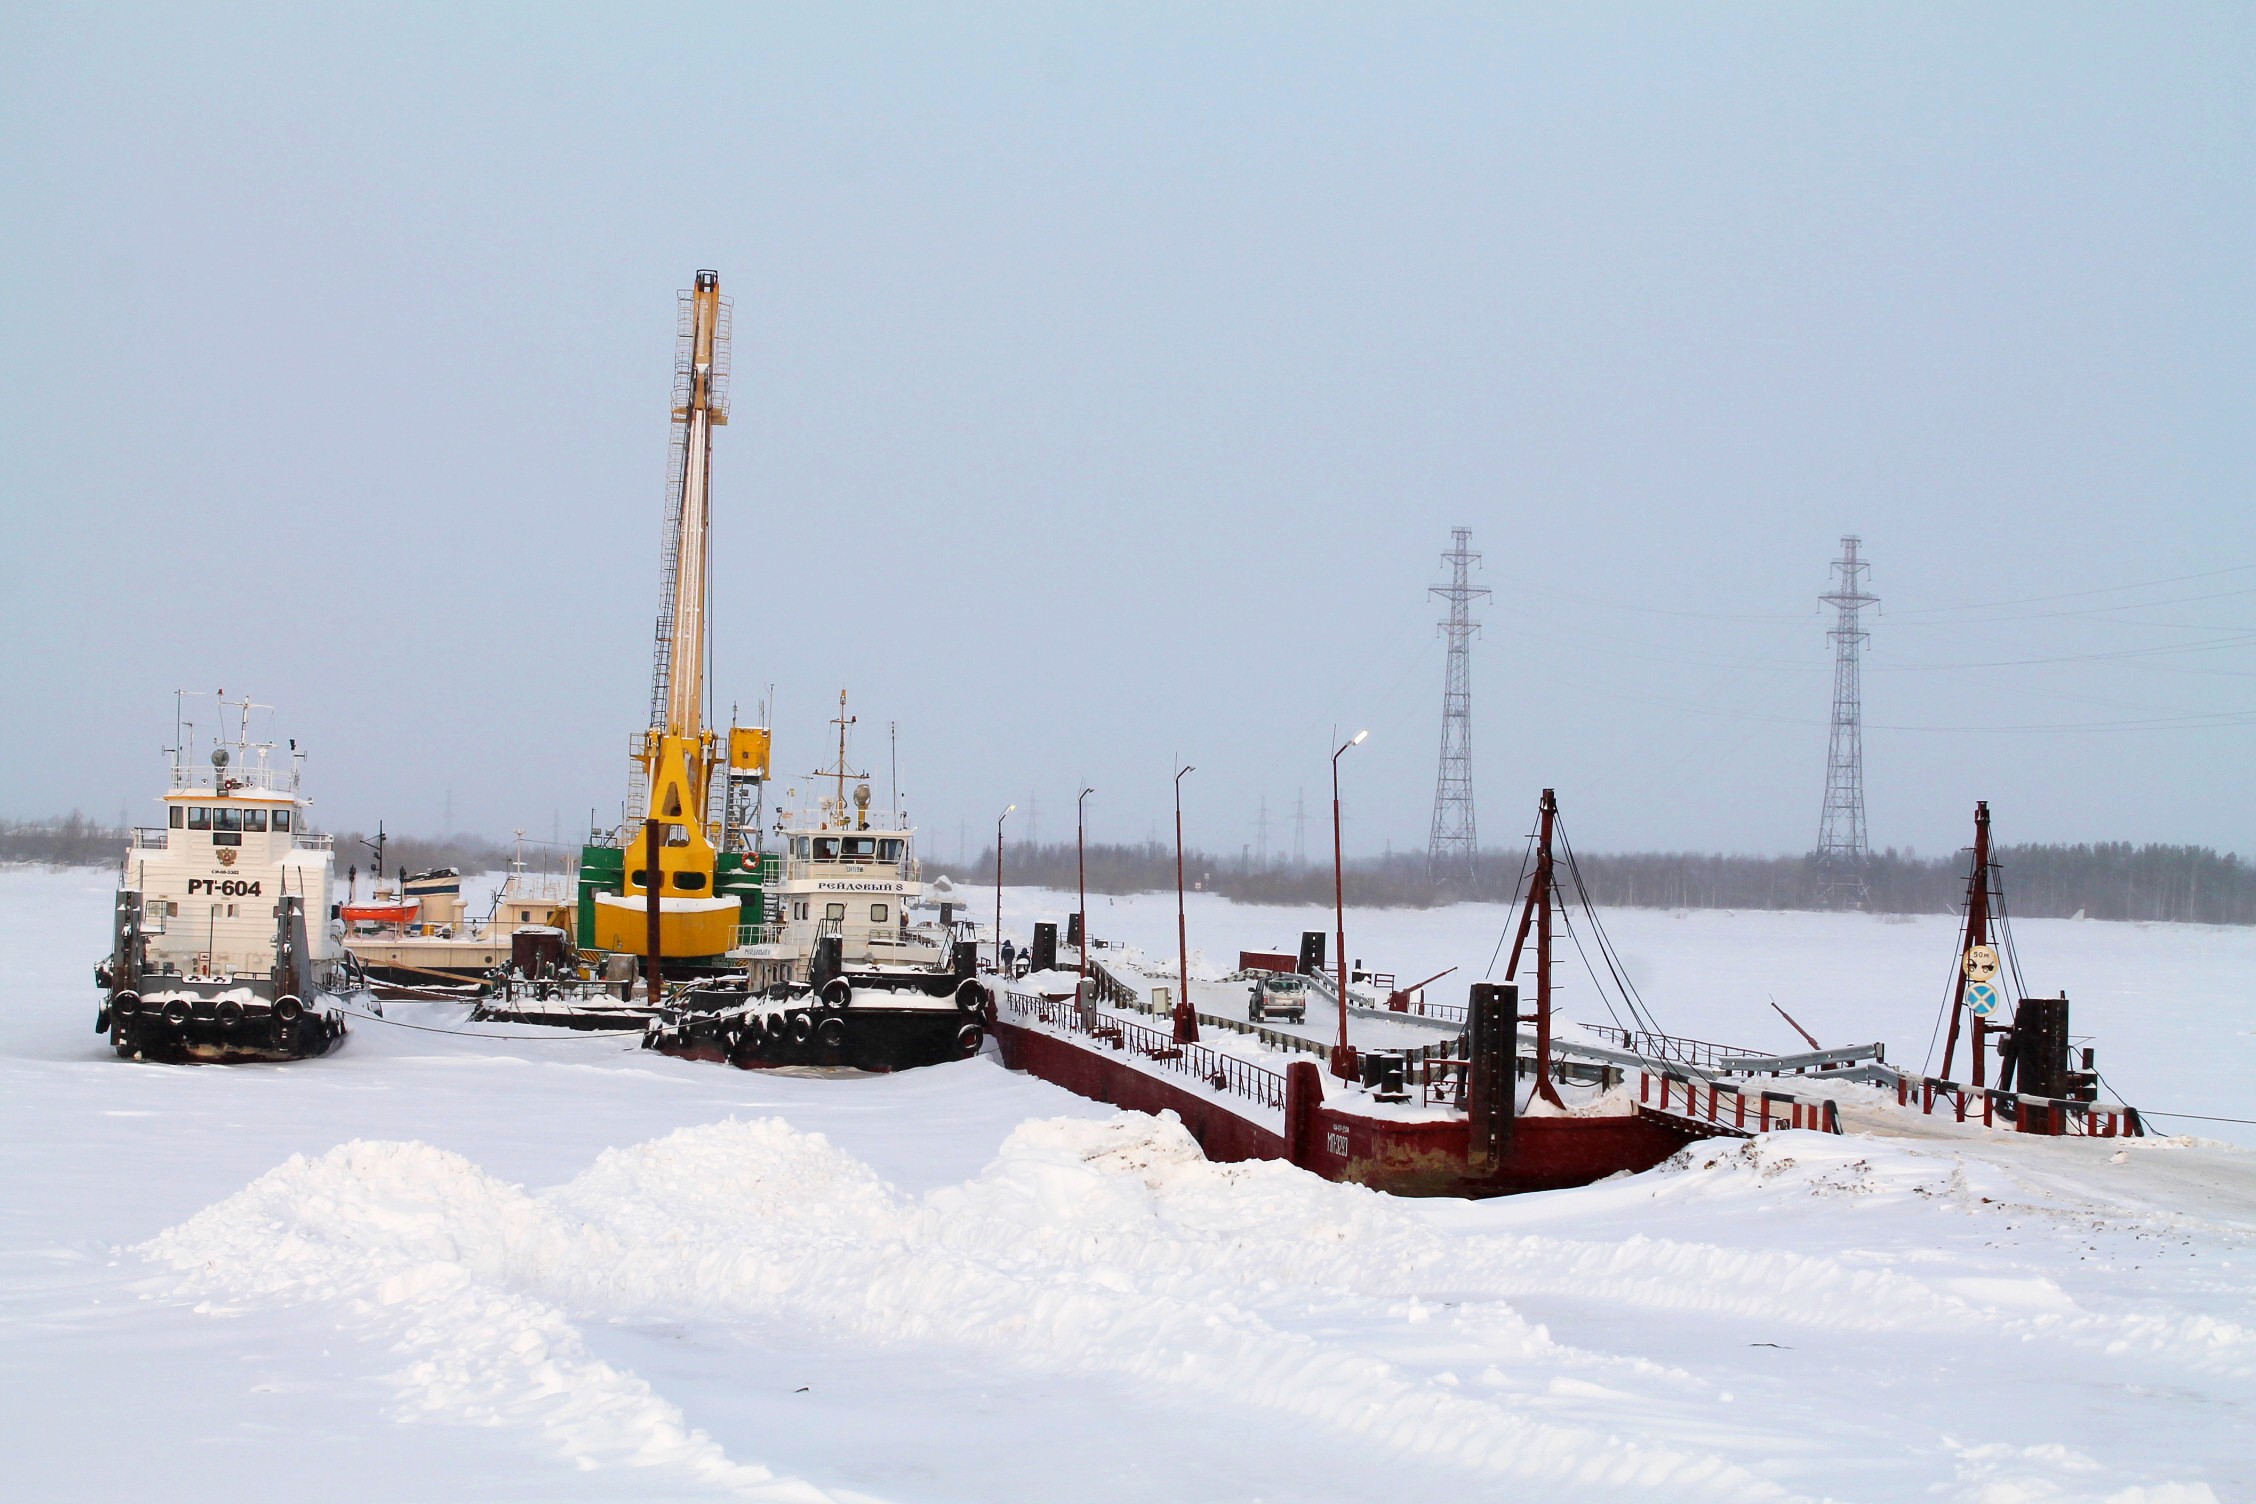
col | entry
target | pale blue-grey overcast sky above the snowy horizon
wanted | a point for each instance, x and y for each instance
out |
(1107, 387)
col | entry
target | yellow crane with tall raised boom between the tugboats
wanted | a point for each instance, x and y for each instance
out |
(676, 851)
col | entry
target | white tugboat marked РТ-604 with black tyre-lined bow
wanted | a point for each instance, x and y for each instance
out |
(222, 946)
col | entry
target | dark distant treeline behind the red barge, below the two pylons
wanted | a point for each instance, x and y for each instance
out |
(2113, 881)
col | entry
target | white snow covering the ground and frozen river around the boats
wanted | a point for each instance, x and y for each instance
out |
(527, 1268)
